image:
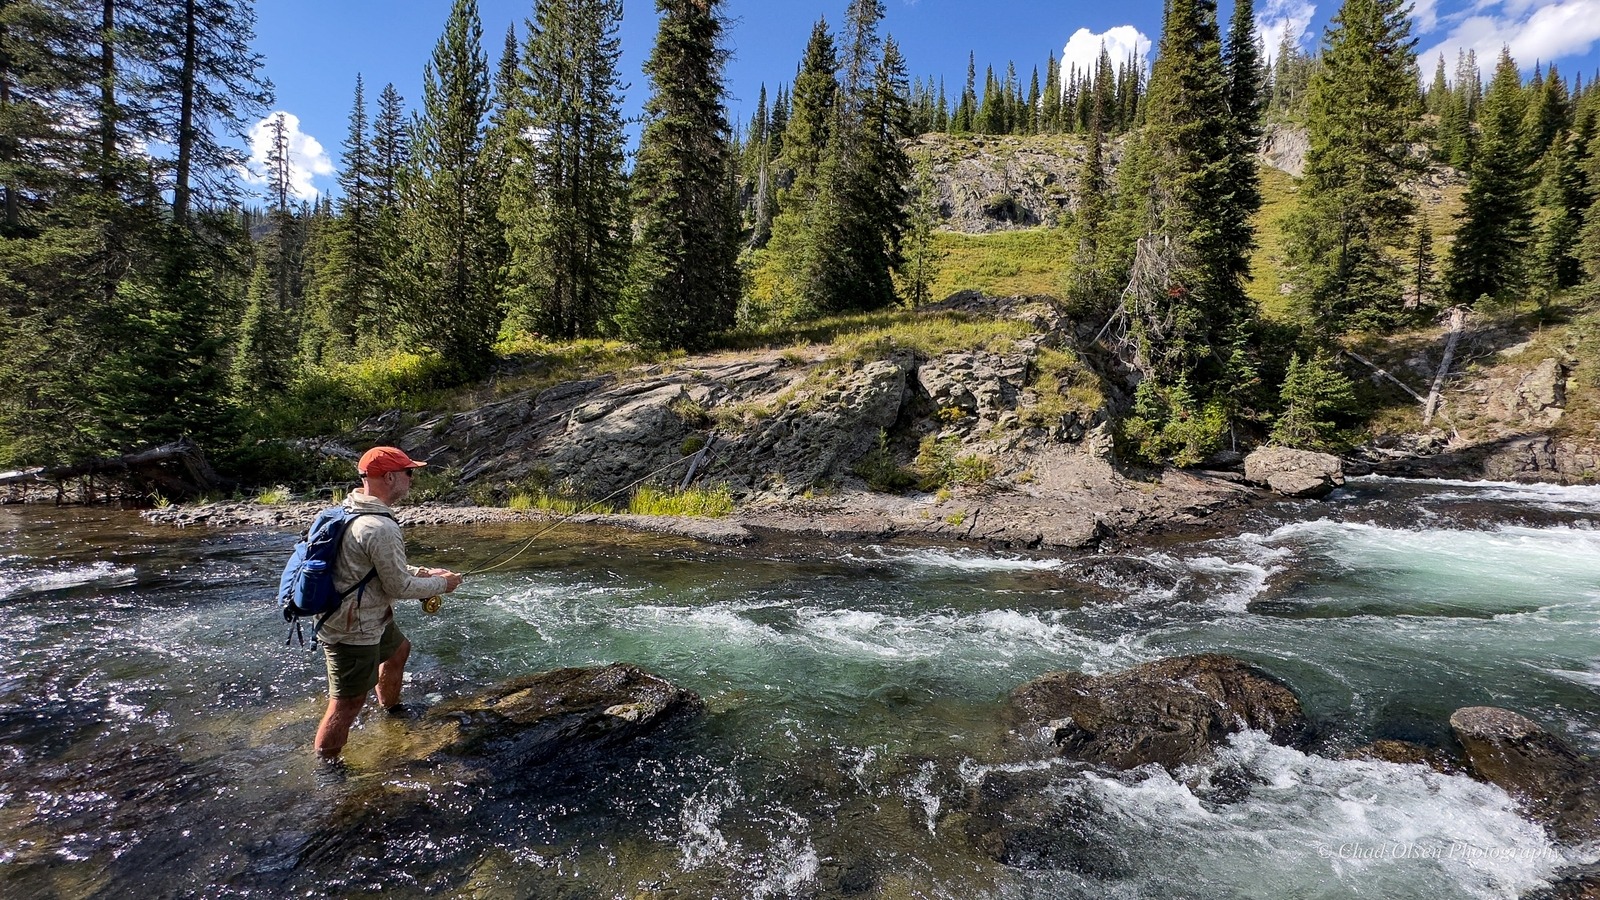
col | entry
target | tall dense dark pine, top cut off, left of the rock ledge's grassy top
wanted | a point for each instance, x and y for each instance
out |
(684, 286)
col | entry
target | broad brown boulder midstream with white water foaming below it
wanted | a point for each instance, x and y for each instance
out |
(1172, 712)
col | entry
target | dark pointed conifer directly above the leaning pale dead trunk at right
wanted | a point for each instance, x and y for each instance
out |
(1487, 257)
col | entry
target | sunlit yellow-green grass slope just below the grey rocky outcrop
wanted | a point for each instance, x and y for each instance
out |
(1009, 263)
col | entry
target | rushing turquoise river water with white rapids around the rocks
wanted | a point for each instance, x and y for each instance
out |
(154, 731)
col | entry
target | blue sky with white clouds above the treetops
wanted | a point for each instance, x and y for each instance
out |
(314, 49)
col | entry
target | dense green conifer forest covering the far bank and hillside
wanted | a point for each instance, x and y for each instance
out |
(500, 215)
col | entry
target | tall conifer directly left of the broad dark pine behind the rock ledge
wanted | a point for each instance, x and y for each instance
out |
(564, 203)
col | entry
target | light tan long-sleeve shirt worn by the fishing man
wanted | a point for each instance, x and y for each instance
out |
(374, 542)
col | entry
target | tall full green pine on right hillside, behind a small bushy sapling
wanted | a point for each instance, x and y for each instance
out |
(1351, 201)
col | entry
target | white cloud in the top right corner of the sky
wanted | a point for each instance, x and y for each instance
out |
(1537, 31)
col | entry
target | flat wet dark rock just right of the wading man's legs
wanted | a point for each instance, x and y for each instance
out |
(577, 713)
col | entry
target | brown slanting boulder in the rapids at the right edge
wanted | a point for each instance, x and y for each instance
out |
(1554, 784)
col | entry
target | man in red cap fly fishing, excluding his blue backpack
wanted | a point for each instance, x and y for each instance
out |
(362, 645)
